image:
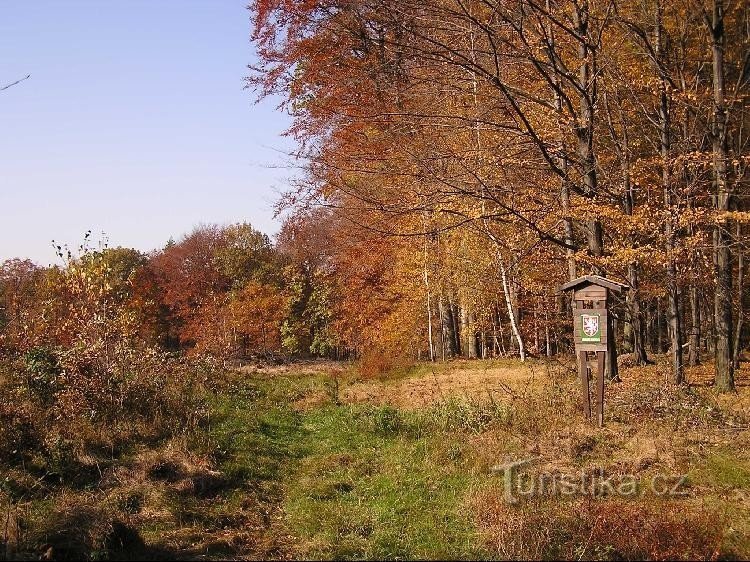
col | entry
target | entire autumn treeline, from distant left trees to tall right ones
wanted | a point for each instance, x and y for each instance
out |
(463, 160)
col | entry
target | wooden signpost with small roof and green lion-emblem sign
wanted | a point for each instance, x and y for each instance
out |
(590, 308)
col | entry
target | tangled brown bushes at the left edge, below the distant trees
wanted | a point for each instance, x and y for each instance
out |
(96, 408)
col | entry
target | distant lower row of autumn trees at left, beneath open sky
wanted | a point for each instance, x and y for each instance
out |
(225, 292)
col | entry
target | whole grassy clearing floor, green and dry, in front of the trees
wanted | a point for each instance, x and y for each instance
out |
(310, 461)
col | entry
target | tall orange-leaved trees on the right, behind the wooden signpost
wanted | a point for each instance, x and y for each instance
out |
(464, 158)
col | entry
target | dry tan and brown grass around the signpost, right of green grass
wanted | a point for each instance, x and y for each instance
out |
(652, 429)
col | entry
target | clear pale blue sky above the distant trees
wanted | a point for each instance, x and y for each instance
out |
(135, 123)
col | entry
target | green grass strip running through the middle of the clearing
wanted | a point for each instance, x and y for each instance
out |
(351, 481)
